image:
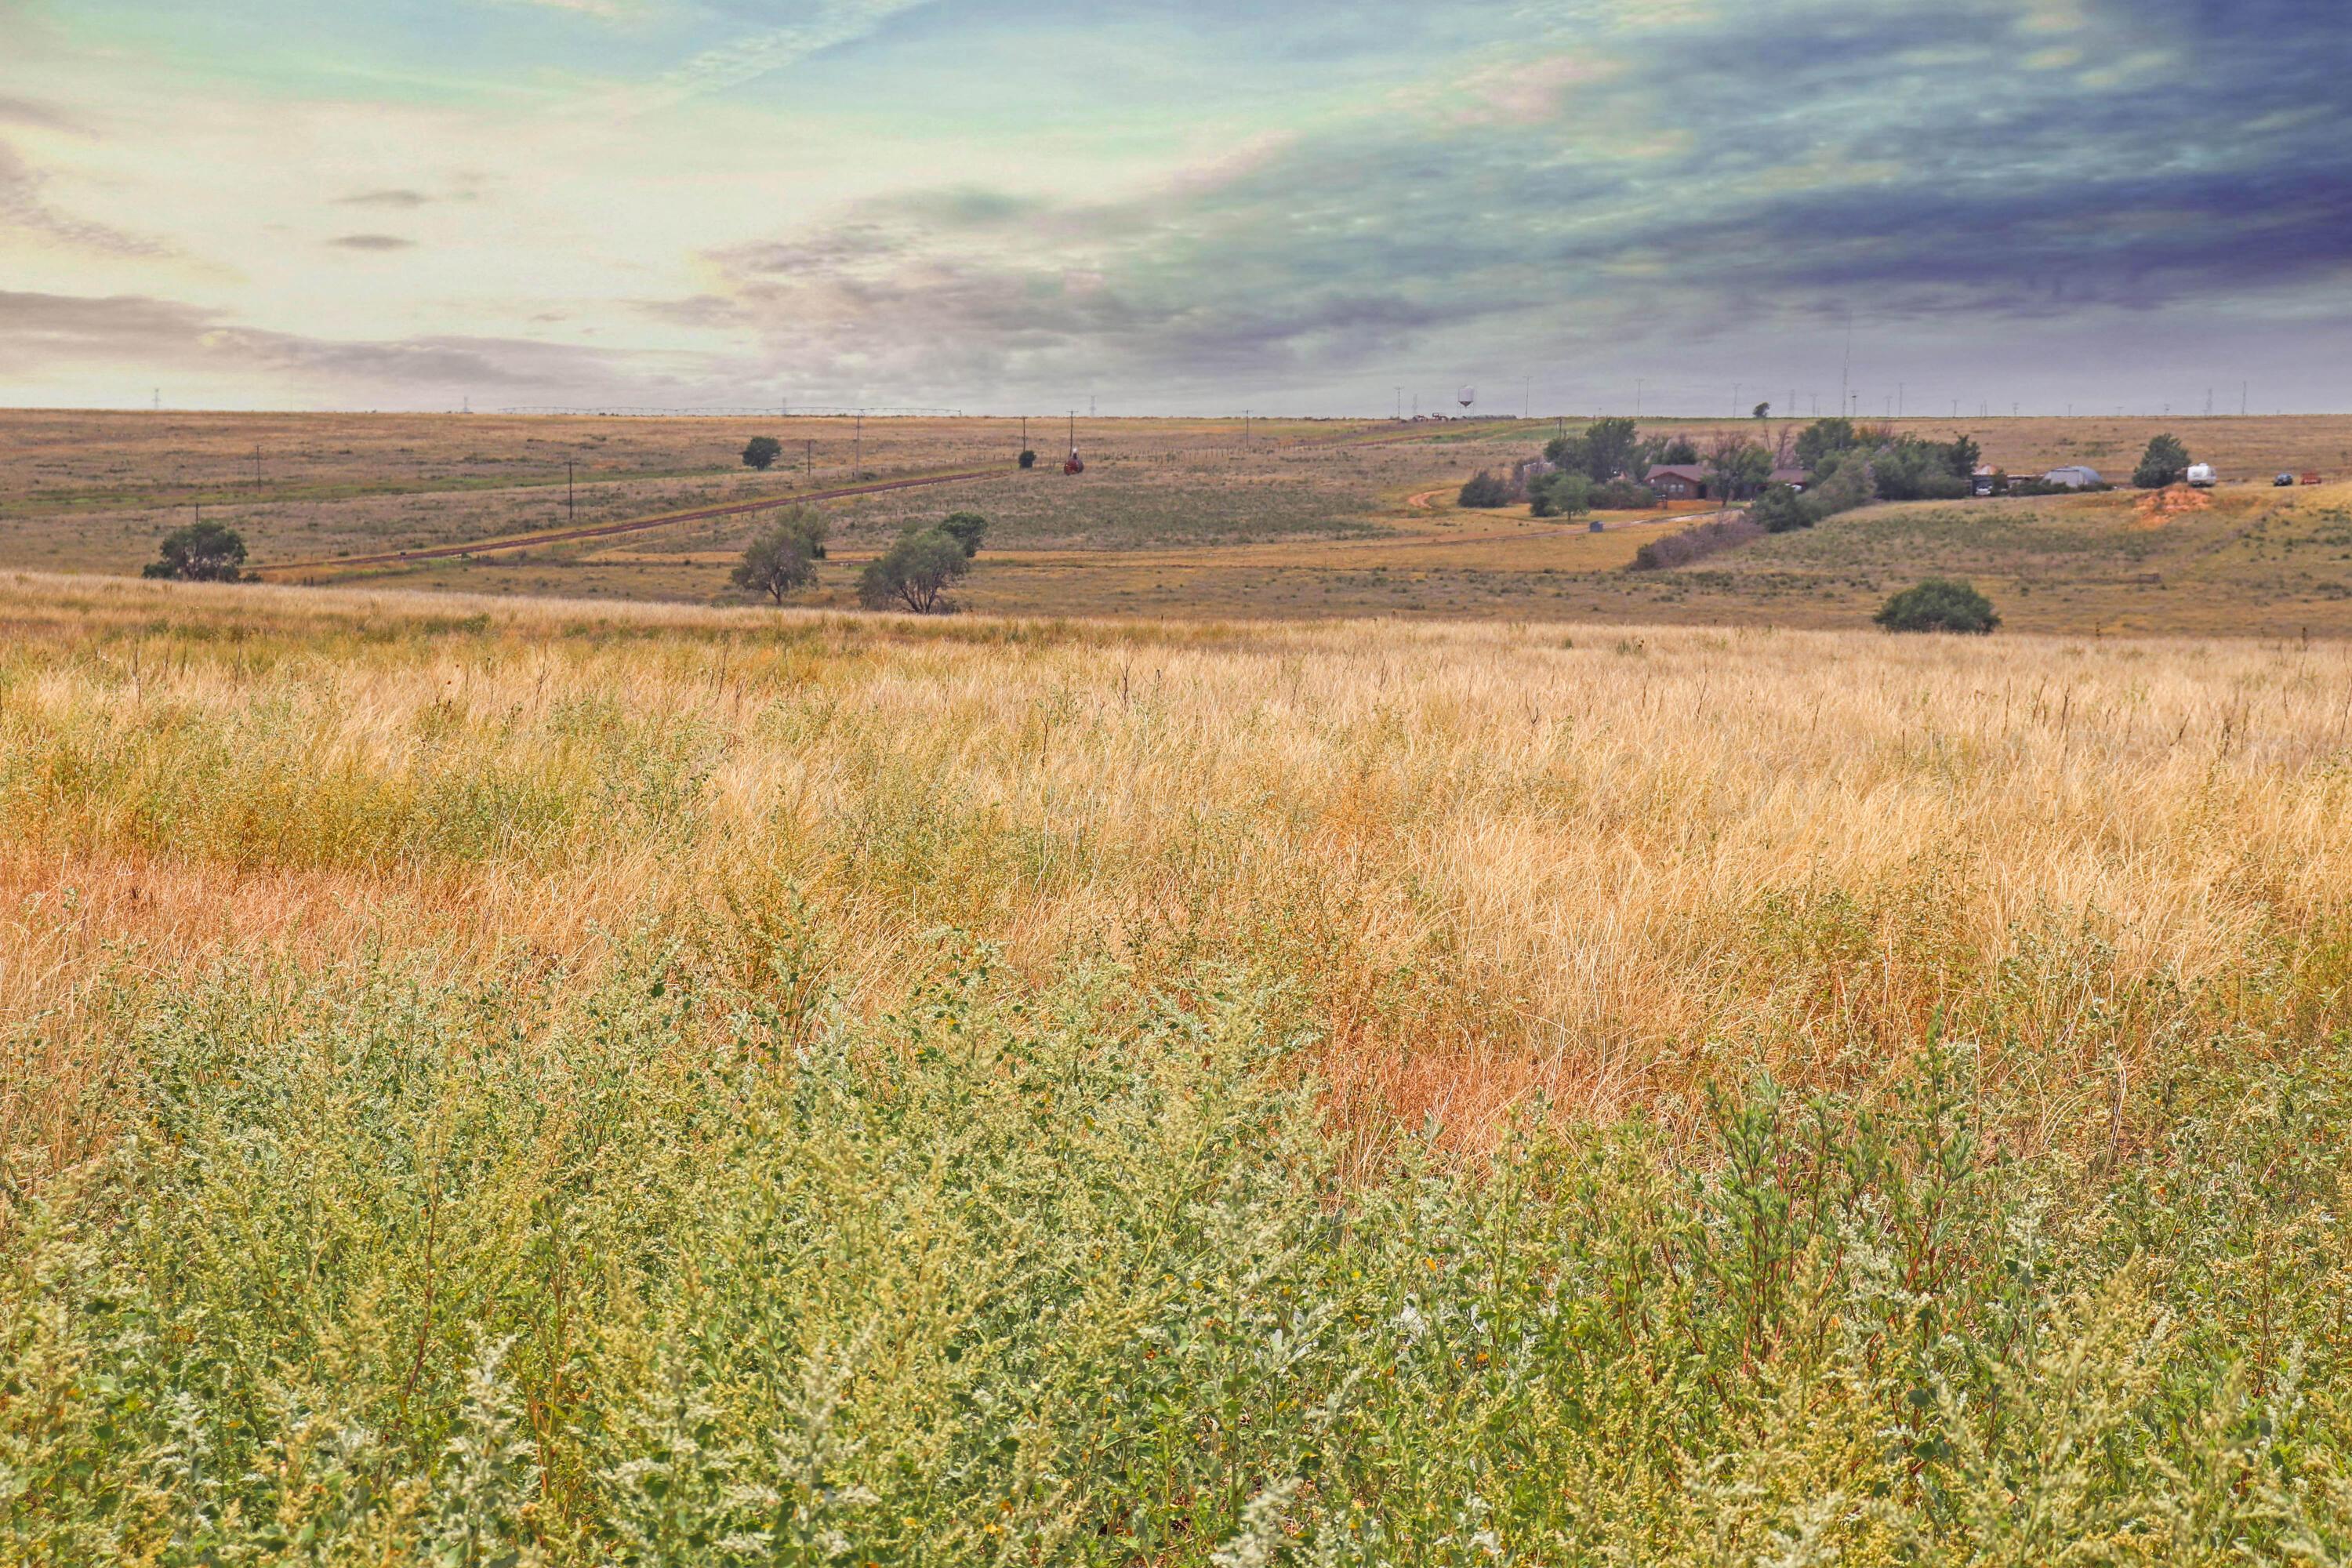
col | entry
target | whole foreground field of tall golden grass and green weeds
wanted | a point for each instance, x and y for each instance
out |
(521, 1080)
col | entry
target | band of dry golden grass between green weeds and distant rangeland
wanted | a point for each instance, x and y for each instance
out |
(1488, 862)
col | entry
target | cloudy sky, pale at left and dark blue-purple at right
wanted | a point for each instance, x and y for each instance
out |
(1180, 208)
